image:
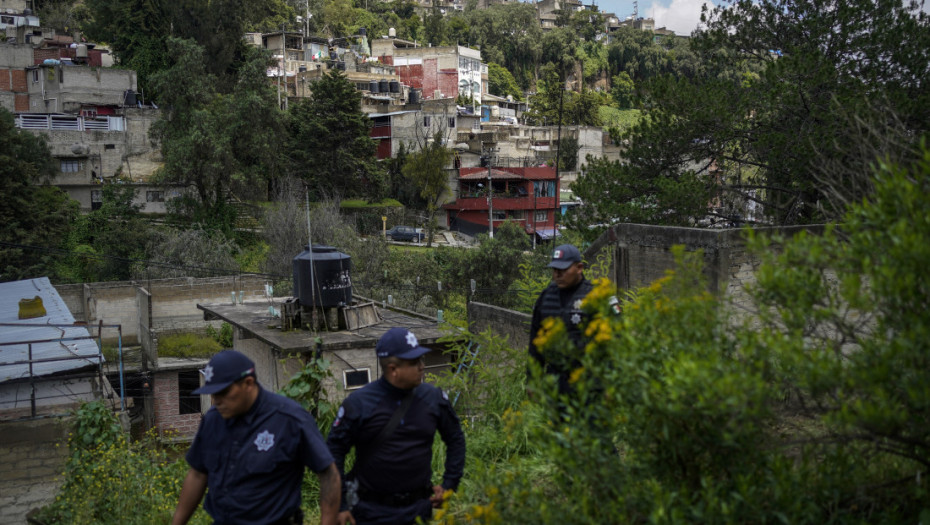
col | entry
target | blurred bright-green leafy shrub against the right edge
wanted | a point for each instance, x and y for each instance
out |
(844, 312)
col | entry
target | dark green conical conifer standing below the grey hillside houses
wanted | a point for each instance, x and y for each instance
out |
(329, 145)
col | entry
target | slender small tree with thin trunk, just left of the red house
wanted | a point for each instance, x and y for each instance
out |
(426, 169)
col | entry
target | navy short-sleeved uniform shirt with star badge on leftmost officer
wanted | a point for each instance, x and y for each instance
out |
(255, 462)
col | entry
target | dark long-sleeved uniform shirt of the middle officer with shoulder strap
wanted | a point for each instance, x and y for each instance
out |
(403, 463)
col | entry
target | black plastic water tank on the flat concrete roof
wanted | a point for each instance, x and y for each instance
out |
(331, 270)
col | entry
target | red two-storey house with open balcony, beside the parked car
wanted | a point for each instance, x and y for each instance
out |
(529, 196)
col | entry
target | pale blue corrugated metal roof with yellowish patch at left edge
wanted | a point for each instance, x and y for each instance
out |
(62, 344)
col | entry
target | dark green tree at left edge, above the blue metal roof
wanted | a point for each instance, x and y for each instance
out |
(34, 214)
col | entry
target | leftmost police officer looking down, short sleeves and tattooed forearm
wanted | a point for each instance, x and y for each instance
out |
(251, 451)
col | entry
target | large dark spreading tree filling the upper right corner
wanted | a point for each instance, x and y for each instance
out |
(779, 85)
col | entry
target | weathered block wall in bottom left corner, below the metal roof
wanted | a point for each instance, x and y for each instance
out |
(31, 463)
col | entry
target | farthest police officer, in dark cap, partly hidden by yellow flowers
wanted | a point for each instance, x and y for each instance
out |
(562, 300)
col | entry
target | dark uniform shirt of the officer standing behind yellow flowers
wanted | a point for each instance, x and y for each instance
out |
(565, 305)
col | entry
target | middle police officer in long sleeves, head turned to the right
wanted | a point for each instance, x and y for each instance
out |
(391, 423)
